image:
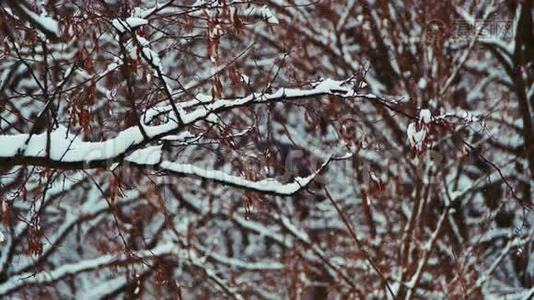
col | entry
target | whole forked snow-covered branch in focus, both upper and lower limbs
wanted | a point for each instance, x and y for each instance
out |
(61, 149)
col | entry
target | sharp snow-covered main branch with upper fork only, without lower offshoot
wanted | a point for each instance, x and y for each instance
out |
(60, 148)
